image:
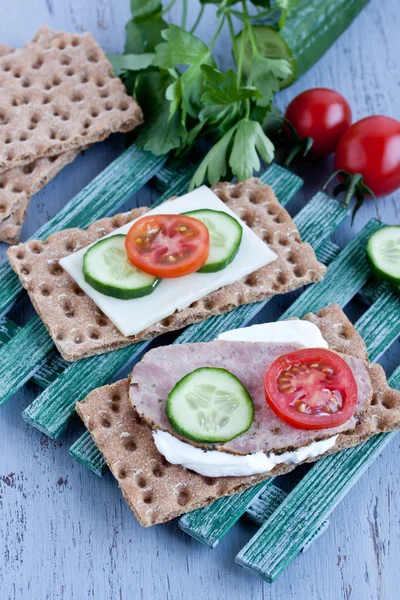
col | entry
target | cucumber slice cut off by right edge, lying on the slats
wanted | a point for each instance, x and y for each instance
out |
(383, 251)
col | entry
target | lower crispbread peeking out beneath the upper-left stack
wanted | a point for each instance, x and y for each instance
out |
(17, 185)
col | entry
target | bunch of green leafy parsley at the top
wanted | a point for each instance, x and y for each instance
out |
(187, 99)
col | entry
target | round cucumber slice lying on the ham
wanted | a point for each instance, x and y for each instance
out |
(210, 405)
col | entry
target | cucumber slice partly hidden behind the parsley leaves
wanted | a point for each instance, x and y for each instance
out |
(270, 45)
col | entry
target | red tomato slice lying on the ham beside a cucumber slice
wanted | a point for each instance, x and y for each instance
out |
(311, 389)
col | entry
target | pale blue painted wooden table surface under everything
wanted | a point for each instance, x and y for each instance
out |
(65, 533)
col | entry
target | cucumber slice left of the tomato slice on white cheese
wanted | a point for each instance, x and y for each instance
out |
(107, 269)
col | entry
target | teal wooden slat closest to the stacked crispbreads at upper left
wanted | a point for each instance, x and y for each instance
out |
(122, 178)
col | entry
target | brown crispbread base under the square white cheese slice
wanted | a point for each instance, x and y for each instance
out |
(79, 329)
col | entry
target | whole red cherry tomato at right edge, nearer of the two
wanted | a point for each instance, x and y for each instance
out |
(371, 147)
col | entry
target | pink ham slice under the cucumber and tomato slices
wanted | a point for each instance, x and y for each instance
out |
(160, 369)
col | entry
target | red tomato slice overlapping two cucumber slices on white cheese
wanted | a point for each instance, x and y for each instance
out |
(168, 245)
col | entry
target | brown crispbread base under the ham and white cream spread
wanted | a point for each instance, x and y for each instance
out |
(157, 491)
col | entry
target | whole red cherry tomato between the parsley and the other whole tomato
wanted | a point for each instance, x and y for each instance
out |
(320, 114)
